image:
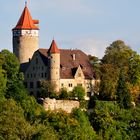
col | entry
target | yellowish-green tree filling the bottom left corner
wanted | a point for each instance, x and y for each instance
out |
(12, 122)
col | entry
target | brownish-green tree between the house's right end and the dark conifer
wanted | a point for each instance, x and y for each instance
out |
(108, 84)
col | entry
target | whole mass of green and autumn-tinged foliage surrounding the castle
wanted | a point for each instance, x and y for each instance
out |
(21, 117)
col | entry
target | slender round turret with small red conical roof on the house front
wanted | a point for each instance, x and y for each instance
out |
(54, 64)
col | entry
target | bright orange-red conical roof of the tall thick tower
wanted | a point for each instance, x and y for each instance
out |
(26, 21)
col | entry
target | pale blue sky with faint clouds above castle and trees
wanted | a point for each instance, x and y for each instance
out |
(89, 25)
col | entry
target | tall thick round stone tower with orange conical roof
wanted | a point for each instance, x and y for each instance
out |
(25, 37)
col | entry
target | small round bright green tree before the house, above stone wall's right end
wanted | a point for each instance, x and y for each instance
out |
(78, 92)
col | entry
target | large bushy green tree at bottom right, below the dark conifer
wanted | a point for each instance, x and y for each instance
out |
(110, 121)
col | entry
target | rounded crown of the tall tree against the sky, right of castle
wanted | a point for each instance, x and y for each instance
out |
(118, 54)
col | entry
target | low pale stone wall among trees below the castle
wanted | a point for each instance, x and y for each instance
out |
(66, 105)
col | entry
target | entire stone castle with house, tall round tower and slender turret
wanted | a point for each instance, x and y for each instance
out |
(64, 67)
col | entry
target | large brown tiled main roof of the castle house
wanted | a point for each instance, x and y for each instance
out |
(68, 64)
